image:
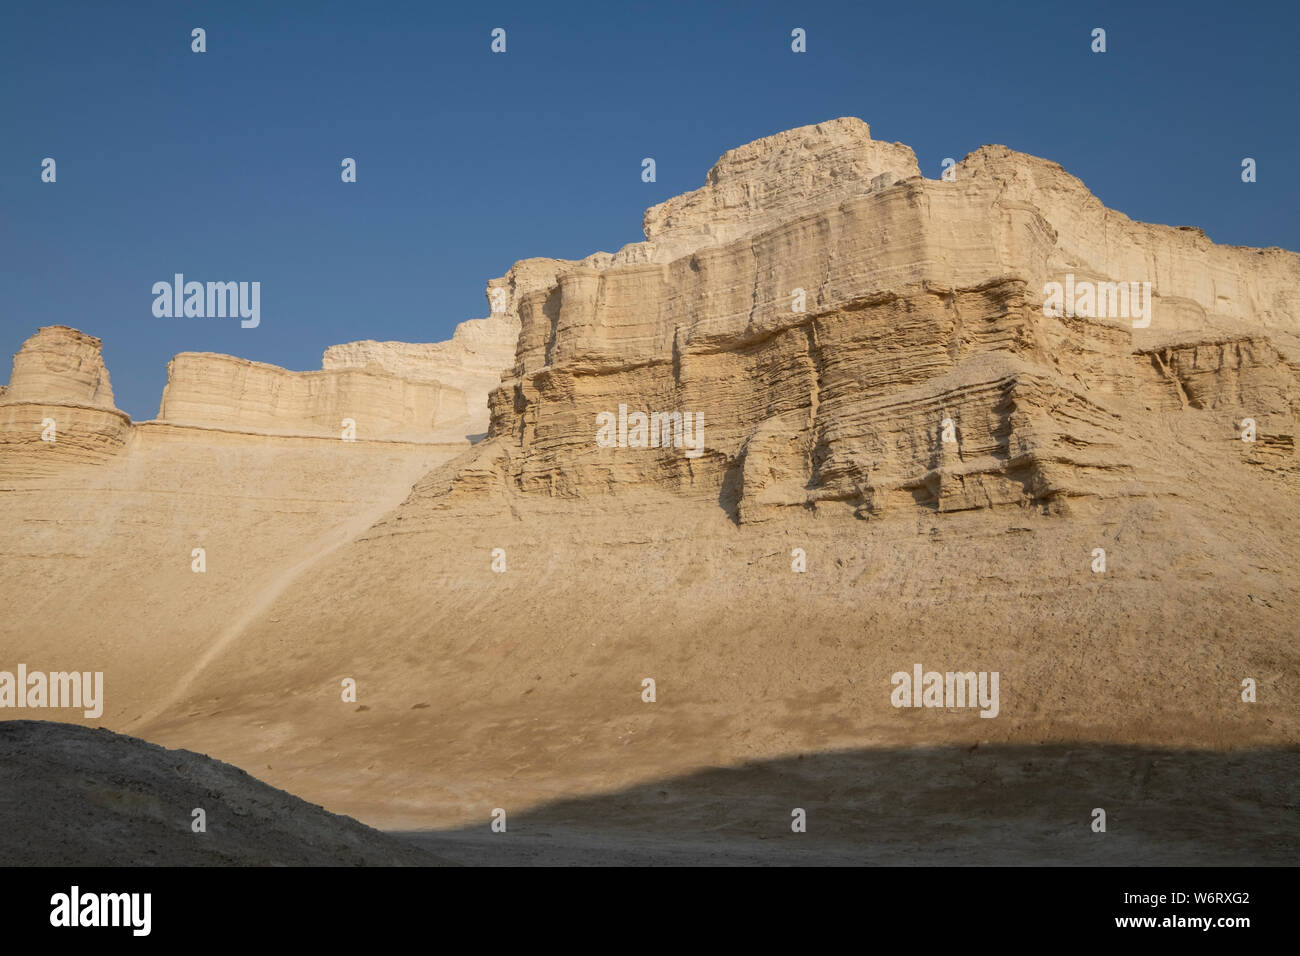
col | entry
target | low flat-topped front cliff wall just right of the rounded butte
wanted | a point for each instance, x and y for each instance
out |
(224, 392)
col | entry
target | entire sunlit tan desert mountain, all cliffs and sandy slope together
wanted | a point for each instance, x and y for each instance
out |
(924, 442)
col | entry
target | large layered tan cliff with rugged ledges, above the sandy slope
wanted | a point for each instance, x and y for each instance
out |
(852, 334)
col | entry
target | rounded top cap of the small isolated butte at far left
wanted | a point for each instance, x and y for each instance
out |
(63, 366)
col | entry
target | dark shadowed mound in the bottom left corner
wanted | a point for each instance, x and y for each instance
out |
(75, 797)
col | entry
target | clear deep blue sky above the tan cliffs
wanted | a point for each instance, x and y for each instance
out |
(226, 166)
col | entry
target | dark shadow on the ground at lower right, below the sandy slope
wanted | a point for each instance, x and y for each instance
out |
(995, 806)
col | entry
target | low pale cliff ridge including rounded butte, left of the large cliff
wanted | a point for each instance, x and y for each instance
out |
(58, 408)
